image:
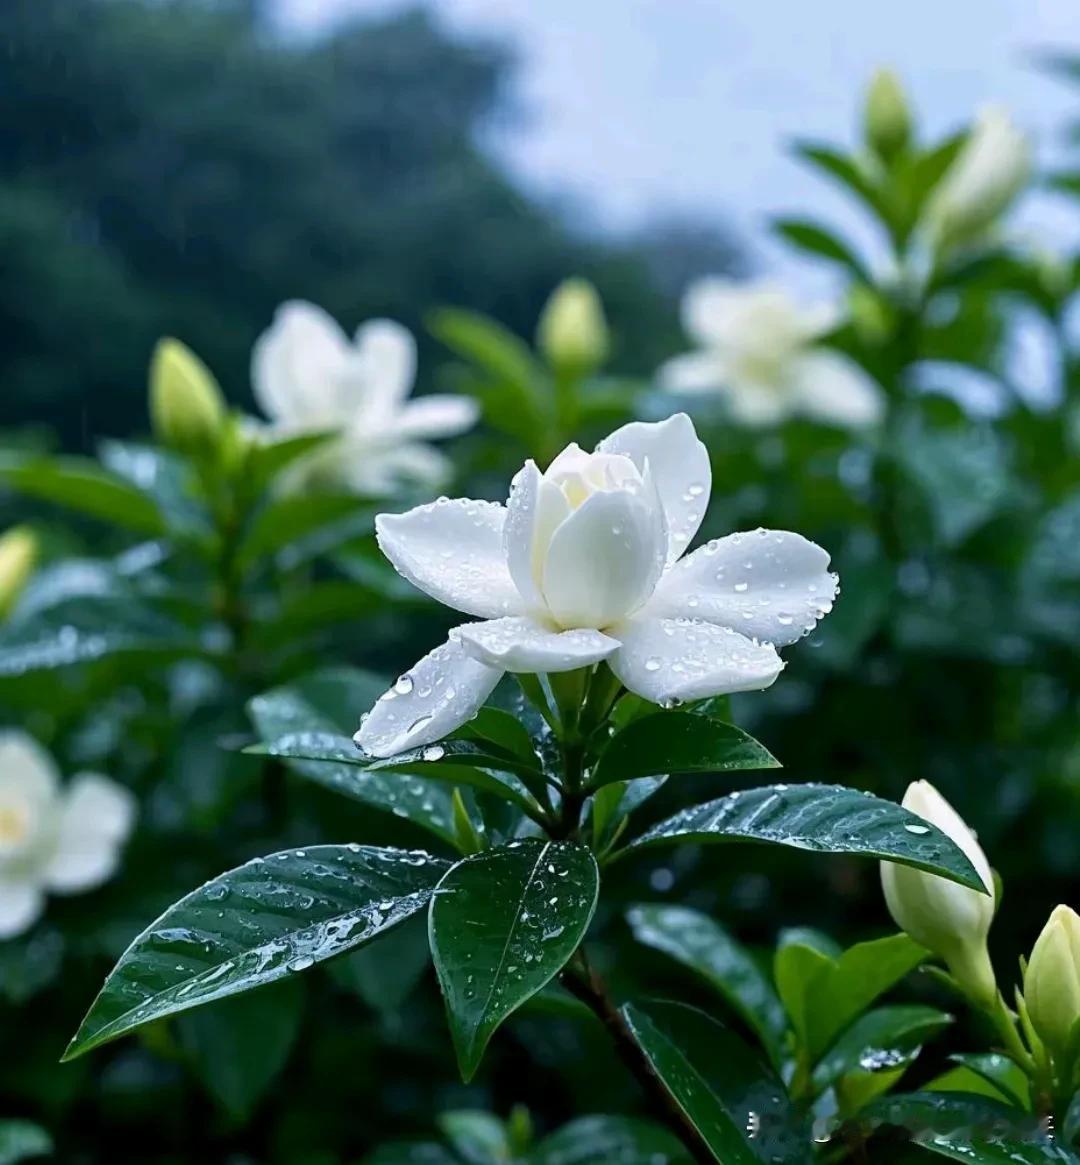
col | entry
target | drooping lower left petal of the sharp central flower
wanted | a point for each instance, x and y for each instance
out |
(441, 694)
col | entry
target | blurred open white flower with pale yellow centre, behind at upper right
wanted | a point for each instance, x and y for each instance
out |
(759, 349)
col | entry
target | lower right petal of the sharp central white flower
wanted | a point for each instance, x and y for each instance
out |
(668, 660)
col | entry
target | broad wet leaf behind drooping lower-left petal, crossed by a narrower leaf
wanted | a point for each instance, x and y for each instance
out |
(328, 703)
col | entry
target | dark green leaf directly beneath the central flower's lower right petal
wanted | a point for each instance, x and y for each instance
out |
(677, 743)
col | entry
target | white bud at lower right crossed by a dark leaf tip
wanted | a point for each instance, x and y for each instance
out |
(952, 921)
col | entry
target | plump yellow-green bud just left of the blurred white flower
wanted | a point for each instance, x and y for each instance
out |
(187, 406)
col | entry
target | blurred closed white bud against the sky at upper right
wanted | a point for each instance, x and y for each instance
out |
(986, 178)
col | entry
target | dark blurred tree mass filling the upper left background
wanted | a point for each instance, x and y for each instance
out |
(177, 168)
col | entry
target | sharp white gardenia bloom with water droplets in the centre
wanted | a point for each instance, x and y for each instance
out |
(585, 563)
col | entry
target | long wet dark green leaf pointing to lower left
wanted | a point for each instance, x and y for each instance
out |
(255, 926)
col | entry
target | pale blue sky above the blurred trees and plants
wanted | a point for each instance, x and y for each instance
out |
(638, 105)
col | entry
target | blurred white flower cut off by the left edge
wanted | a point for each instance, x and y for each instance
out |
(54, 838)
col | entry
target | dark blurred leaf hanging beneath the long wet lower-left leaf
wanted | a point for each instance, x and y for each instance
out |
(239, 1047)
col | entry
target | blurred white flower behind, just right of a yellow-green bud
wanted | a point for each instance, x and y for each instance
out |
(308, 377)
